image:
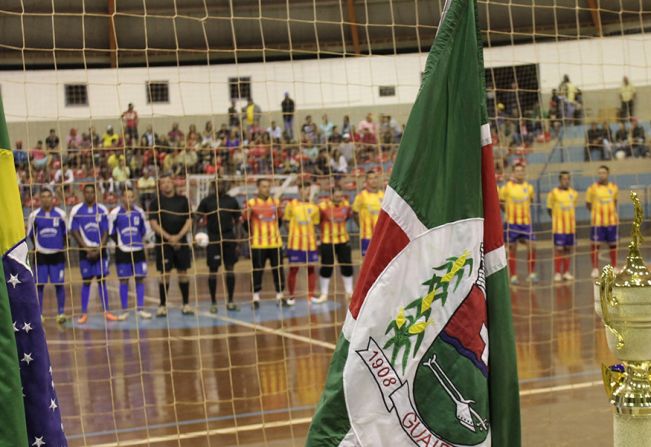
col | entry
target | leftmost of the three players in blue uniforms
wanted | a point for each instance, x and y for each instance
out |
(46, 227)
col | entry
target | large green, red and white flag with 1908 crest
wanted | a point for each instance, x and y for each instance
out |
(427, 354)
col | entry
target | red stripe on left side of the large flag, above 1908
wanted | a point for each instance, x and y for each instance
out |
(388, 240)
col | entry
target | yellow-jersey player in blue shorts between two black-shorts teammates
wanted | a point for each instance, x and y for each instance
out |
(303, 217)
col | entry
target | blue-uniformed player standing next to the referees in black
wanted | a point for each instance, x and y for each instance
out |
(128, 226)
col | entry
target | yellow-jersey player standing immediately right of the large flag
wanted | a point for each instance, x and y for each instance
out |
(516, 197)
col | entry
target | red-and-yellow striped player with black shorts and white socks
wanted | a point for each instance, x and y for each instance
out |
(335, 240)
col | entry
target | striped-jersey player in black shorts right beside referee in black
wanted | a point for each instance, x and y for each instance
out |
(263, 215)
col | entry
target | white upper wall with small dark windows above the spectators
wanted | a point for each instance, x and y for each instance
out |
(592, 64)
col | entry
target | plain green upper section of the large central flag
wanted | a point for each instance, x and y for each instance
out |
(438, 166)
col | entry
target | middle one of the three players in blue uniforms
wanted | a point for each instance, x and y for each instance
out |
(89, 227)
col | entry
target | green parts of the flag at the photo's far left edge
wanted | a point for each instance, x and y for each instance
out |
(13, 429)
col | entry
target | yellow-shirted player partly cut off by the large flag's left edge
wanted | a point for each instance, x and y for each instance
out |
(366, 208)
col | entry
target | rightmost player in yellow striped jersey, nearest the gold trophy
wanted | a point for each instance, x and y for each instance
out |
(601, 200)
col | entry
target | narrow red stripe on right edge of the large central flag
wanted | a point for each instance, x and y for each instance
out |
(493, 235)
